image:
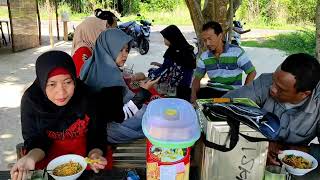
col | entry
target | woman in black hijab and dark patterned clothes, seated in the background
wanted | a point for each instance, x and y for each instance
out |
(179, 61)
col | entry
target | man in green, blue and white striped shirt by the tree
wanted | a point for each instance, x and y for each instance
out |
(223, 62)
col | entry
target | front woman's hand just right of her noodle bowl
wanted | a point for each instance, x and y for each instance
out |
(96, 154)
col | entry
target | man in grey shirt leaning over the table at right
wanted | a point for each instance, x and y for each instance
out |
(292, 93)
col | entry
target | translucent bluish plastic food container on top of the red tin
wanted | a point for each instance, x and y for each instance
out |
(171, 123)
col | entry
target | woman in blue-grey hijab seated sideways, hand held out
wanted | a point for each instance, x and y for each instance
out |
(102, 71)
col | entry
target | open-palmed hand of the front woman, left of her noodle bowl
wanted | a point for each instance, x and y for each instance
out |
(20, 169)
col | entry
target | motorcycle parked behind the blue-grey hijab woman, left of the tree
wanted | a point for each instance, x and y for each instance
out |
(139, 32)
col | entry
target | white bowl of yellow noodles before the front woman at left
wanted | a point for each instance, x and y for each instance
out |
(67, 167)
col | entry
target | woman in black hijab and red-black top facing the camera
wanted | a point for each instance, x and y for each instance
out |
(58, 117)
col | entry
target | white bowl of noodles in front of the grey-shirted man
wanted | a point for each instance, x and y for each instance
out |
(297, 162)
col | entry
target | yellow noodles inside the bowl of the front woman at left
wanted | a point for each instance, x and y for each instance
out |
(67, 169)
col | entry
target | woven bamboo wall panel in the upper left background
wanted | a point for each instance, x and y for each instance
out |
(24, 24)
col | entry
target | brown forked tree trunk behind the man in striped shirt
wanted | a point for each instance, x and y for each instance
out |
(221, 11)
